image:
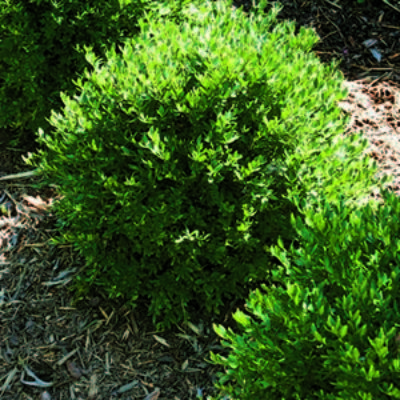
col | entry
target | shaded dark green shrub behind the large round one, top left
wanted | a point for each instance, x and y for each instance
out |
(41, 52)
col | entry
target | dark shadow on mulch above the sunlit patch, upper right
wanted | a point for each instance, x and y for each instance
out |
(365, 38)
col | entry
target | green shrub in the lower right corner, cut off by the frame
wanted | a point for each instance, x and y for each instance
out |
(329, 329)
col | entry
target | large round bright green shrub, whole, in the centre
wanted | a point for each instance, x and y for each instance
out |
(176, 159)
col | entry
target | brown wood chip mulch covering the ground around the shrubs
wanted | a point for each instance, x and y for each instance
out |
(97, 349)
